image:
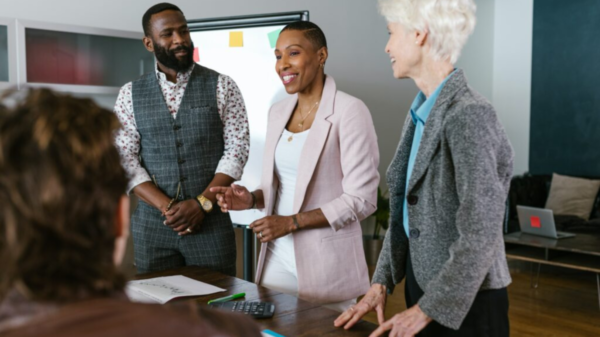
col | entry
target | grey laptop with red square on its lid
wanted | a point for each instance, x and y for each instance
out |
(539, 221)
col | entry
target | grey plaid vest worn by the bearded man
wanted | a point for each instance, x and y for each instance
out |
(185, 150)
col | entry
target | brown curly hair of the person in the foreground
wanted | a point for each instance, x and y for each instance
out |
(61, 180)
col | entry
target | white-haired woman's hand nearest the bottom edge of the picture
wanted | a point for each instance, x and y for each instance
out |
(405, 324)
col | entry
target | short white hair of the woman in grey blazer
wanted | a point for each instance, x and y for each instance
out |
(448, 22)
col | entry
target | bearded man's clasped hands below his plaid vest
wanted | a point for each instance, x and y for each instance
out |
(184, 217)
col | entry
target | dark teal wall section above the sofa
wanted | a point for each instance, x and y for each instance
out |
(565, 103)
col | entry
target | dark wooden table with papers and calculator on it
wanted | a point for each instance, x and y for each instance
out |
(293, 316)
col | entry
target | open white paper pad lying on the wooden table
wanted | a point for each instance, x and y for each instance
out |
(164, 289)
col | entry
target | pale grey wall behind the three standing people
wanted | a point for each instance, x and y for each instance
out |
(356, 35)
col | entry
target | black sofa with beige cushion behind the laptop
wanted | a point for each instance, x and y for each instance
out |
(532, 190)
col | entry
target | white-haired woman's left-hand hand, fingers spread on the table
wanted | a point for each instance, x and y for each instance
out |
(374, 300)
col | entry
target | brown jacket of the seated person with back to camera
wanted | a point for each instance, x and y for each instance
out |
(119, 317)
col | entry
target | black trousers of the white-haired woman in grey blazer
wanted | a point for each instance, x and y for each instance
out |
(488, 316)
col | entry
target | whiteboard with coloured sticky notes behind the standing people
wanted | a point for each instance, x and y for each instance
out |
(252, 67)
